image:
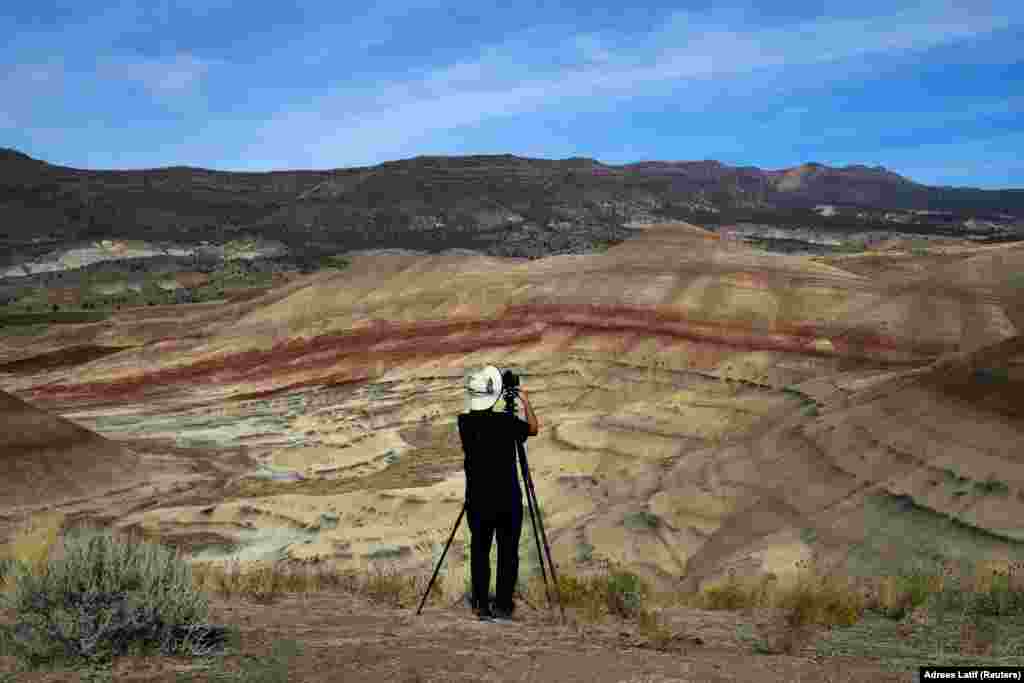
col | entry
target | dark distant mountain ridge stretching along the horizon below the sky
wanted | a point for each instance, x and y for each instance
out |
(499, 204)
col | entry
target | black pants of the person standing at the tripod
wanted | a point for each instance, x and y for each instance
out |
(485, 525)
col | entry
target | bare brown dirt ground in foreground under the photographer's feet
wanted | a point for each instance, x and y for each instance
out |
(348, 638)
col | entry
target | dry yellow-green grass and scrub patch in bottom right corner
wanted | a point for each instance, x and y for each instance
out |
(975, 607)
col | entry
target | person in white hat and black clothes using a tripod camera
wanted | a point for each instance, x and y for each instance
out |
(494, 500)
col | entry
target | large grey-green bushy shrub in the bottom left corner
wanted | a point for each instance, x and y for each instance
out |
(107, 599)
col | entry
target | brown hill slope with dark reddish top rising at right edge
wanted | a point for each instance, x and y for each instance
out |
(942, 445)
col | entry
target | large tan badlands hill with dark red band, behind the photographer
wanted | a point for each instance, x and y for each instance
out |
(704, 406)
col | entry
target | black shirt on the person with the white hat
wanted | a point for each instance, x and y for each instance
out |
(489, 442)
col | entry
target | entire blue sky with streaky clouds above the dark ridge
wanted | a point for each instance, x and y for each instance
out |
(933, 91)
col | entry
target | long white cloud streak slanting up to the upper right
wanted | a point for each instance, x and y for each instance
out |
(367, 124)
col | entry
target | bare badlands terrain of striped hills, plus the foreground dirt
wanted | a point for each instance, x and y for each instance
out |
(707, 409)
